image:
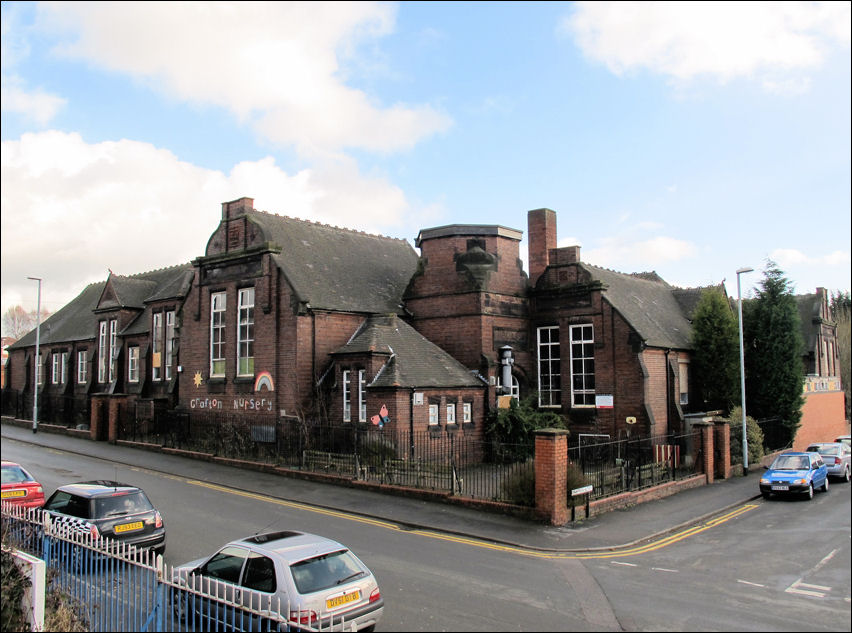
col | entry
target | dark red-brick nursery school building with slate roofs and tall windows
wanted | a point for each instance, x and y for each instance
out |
(283, 317)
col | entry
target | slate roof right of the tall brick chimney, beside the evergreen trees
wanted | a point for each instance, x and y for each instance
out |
(657, 311)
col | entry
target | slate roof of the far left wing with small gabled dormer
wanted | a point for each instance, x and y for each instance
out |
(75, 321)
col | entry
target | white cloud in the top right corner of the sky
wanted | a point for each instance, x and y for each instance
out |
(684, 40)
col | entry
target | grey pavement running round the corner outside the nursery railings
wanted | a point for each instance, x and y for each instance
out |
(612, 530)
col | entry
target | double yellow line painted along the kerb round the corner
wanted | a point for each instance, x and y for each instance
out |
(475, 542)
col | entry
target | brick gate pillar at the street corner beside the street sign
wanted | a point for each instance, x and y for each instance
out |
(551, 475)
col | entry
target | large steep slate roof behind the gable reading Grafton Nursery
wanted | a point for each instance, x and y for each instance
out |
(339, 269)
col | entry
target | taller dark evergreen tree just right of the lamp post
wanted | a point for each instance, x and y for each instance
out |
(773, 355)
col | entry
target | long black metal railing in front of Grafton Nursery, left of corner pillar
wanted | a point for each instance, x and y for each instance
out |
(458, 462)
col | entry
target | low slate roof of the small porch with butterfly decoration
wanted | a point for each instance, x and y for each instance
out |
(413, 361)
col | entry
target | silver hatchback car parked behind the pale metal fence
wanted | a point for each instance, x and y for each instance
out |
(312, 582)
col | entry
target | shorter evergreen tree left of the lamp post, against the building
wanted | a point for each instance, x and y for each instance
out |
(716, 352)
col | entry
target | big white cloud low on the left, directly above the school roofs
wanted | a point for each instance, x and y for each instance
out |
(71, 210)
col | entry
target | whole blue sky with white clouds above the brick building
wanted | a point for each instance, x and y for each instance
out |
(691, 139)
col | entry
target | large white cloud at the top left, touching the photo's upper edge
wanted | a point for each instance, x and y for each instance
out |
(277, 65)
